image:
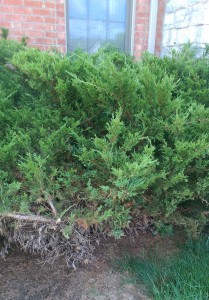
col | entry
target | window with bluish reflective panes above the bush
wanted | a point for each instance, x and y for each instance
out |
(93, 23)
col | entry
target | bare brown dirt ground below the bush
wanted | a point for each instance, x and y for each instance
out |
(24, 277)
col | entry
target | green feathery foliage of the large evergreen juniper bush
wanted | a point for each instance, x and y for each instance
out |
(107, 138)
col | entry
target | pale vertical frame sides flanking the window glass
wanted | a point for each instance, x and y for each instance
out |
(129, 25)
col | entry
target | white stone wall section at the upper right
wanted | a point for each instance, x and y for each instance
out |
(185, 21)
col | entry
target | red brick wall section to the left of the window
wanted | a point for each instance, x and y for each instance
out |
(42, 21)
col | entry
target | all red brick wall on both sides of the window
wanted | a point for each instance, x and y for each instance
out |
(44, 23)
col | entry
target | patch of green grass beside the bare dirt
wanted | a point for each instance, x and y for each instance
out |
(183, 276)
